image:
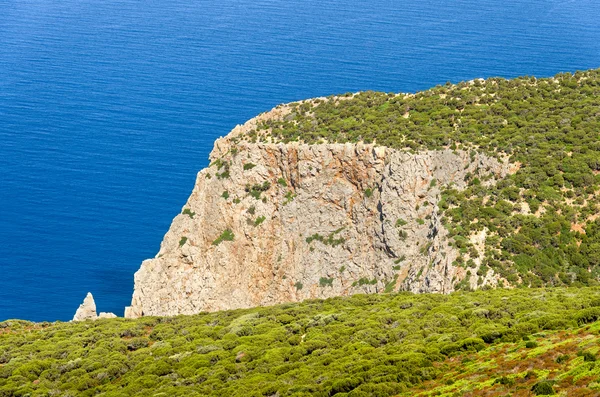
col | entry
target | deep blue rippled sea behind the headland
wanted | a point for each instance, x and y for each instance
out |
(109, 108)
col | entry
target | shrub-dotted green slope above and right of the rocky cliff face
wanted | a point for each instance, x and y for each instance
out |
(542, 223)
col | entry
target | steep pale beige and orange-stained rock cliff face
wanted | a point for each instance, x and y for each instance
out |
(269, 222)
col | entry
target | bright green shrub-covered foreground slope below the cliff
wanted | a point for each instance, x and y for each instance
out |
(520, 342)
